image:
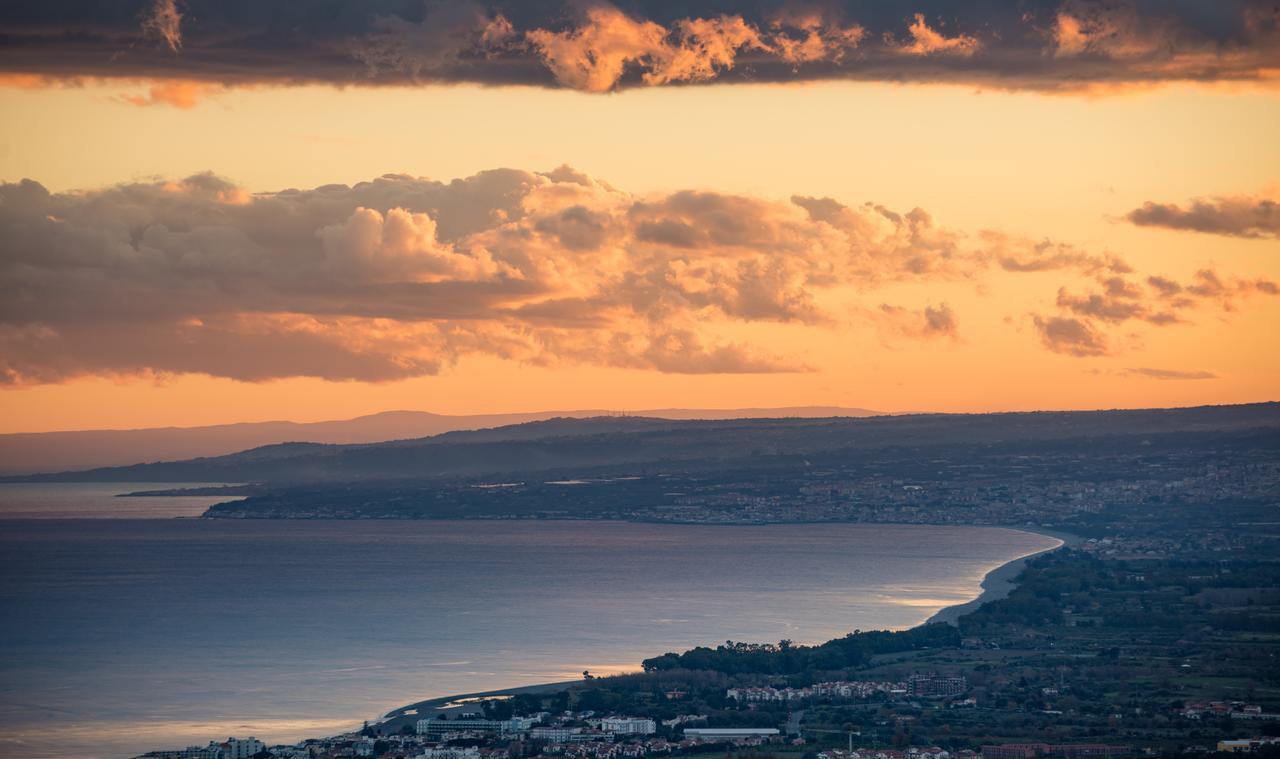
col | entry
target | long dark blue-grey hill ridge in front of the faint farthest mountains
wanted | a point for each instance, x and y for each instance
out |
(618, 445)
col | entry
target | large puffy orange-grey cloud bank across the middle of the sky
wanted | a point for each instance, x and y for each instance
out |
(403, 277)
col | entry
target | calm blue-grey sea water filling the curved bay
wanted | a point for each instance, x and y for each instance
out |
(125, 635)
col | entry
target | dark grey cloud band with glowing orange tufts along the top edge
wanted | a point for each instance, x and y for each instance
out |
(1055, 45)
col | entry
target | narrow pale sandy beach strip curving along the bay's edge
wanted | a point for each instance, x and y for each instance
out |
(996, 586)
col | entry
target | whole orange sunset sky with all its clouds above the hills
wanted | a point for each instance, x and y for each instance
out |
(225, 212)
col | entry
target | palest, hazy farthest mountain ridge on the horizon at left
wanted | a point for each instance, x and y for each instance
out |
(65, 451)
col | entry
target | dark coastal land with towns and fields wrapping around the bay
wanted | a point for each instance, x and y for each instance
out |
(1153, 632)
